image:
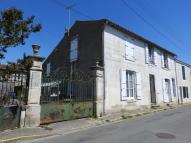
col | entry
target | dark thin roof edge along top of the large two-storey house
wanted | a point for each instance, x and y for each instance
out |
(124, 30)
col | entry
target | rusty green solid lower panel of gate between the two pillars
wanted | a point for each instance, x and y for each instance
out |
(55, 112)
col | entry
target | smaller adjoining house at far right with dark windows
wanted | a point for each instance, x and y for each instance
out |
(183, 81)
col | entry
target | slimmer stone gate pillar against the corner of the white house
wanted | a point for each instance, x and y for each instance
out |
(99, 89)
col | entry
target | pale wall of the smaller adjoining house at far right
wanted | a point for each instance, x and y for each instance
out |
(182, 82)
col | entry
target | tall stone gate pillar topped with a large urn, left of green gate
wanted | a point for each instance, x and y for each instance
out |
(32, 118)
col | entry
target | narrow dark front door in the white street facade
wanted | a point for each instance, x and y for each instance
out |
(152, 89)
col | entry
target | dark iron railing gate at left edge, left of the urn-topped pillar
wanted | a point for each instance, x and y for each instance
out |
(13, 96)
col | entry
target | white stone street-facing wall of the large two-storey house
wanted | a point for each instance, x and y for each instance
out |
(114, 61)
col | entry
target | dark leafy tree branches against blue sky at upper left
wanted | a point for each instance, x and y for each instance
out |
(15, 29)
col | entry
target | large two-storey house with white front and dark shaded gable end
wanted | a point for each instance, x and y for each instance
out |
(137, 73)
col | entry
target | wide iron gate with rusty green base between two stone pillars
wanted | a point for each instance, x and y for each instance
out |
(66, 99)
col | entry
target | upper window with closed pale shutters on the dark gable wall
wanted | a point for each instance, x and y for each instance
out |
(74, 50)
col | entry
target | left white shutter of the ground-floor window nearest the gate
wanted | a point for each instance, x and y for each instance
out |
(123, 85)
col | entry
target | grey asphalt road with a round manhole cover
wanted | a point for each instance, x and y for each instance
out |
(173, 126)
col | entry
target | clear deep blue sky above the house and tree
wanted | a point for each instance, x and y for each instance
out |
(165, 22)
